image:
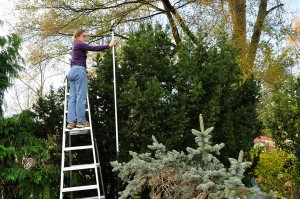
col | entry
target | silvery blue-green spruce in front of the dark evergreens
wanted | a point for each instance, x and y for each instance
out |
(197, 174)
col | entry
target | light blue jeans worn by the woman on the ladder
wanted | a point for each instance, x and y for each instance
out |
(77, 77)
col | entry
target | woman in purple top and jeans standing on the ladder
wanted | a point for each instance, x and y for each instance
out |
(77, 78)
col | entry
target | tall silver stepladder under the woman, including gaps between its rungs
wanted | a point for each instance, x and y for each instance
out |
(80, 163)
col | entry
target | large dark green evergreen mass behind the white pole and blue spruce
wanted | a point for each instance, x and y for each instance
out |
(161, 91)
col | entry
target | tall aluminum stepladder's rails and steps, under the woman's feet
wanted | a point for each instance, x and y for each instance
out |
(70, 150)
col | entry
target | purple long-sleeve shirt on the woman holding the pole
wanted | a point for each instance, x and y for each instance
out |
(79, 51)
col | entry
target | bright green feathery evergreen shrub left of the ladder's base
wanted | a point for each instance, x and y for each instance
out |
(26, 169)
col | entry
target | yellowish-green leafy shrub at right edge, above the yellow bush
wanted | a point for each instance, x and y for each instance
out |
(283, 120)
